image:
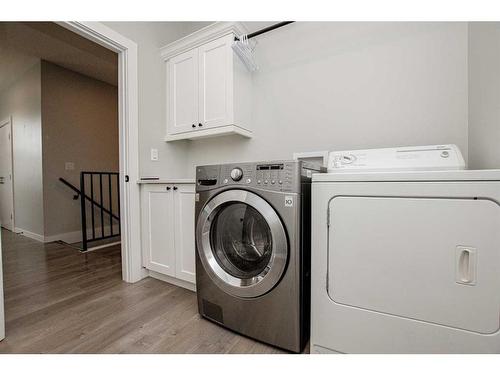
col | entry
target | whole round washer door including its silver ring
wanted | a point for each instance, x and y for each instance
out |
(241, 243)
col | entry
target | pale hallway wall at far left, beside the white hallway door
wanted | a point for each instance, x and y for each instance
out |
(22, 101)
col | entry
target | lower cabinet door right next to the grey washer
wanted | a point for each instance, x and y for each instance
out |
(184, 232)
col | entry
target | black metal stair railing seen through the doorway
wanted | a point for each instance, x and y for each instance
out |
(99, 195)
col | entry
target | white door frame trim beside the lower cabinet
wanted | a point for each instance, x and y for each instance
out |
(126, 49)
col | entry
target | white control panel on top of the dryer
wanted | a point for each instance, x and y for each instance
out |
(438, 157)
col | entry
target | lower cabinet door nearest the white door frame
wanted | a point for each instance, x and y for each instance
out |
(158, 229)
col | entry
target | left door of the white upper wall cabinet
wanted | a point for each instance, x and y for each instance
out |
(182, 92)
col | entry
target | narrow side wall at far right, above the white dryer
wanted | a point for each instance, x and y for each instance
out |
(484, 95)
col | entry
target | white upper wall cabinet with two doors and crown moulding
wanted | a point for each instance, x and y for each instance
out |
(208, 87)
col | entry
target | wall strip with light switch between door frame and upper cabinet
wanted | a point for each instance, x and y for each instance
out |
(150, 36)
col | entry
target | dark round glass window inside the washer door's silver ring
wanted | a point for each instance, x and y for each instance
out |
(241, 240)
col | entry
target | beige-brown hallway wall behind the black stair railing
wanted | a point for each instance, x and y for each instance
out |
(80, 125)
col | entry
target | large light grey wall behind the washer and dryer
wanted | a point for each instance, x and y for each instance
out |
(330, 85)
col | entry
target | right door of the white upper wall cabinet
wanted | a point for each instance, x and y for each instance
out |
(216, 83)
